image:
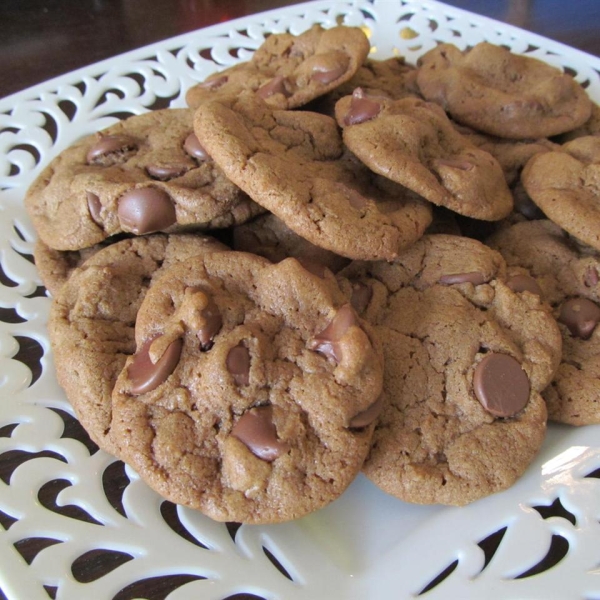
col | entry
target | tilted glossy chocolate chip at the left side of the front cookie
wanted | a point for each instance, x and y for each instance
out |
(146, 375)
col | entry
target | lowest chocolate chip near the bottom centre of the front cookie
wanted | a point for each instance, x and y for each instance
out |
(256, 430)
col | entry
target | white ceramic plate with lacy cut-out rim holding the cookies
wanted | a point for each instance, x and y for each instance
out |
(538, 540)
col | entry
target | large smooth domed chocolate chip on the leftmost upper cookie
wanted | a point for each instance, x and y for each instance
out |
(145, 210)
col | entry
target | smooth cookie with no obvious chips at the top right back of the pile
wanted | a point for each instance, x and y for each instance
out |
(508, 95)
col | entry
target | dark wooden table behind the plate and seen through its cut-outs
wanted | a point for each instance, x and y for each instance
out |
(41, 39)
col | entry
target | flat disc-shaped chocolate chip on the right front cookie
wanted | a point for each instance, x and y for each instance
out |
(501, 385)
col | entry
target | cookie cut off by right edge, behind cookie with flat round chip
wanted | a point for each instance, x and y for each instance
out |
(567, 275)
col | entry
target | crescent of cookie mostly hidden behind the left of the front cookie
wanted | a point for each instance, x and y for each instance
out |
(92, 319)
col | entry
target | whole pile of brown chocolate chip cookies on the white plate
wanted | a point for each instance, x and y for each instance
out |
(330, 264)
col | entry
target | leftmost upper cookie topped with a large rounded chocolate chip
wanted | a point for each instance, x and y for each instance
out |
(145, 174)
